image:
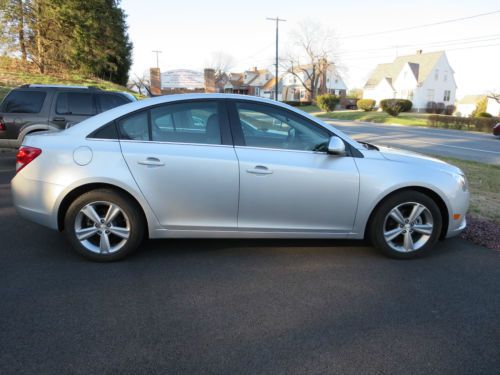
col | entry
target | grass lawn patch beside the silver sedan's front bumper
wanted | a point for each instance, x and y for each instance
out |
(484, 183)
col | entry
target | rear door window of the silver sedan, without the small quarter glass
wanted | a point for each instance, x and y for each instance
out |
(192, 122)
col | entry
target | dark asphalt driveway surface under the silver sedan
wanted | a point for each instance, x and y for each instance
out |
(240, 306)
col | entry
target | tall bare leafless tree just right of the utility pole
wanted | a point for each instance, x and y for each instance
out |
(310, 55)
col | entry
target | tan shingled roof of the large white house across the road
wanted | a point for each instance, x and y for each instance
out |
(420, 64)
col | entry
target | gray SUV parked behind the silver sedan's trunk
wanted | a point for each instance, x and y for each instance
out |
(31, 108)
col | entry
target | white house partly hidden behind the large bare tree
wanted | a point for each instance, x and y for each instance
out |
(293, 89)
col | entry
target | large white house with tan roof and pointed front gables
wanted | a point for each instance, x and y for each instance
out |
(421, 78)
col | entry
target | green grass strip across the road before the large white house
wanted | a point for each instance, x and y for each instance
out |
(413, 119)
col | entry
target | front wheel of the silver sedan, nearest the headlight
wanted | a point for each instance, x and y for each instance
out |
(406, 225)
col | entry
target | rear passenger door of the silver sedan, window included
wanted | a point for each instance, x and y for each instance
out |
(182, 158)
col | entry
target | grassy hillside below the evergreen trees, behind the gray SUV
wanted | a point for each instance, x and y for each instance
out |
(11, 75)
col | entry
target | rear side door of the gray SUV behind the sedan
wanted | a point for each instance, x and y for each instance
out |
(72, 107)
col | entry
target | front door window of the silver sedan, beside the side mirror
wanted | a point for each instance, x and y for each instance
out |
(264, 126)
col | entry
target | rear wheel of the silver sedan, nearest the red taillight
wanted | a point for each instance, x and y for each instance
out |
(104, 225)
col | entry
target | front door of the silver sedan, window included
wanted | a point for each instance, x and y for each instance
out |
(287, 179)
